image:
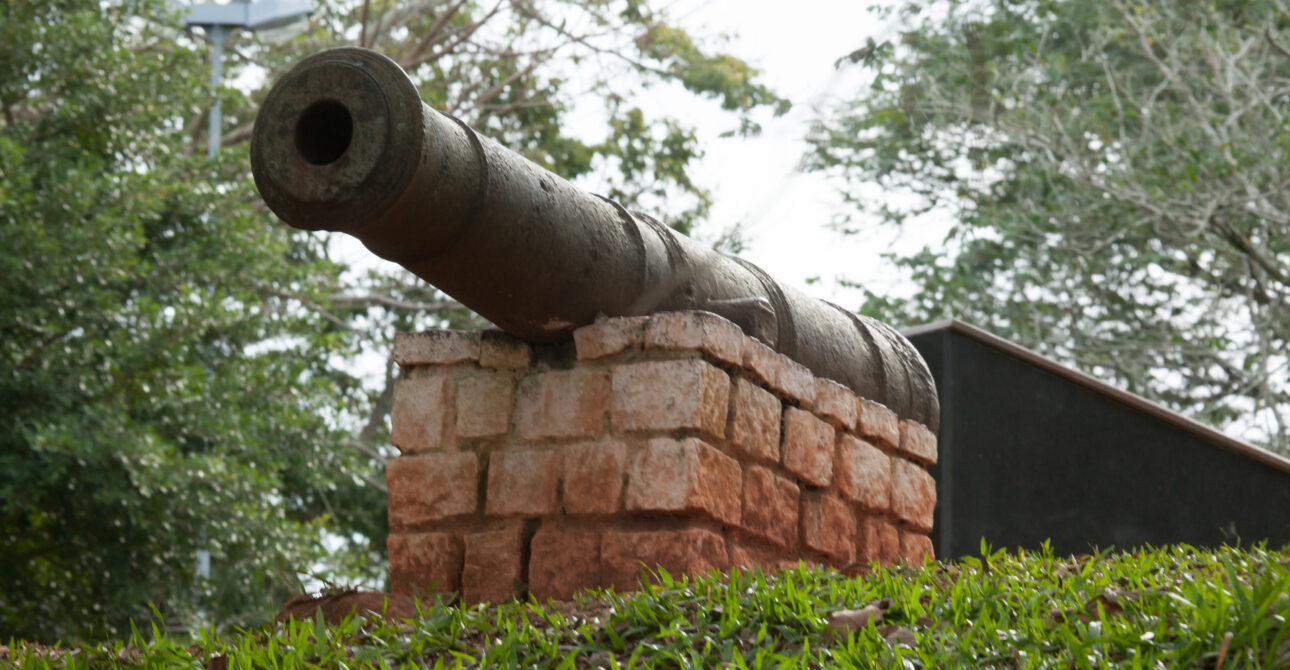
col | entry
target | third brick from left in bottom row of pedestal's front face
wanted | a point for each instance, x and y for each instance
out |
(563, 562)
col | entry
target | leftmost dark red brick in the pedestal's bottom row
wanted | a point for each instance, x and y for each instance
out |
(425, 563)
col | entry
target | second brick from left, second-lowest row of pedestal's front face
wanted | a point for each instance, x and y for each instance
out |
(523, 483)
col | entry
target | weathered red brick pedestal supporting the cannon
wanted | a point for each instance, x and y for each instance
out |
(669, 441)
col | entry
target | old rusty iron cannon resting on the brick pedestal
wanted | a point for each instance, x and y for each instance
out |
(344, 143)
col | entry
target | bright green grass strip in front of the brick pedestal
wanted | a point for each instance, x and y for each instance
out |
(1172, 607)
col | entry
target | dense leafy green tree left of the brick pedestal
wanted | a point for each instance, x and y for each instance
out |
(155, 401)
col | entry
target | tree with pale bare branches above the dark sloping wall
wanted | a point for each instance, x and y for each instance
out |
(1116, 179)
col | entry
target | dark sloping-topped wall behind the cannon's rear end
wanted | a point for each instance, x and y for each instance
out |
(1027, 455)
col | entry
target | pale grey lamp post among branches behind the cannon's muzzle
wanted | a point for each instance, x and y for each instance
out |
(221, 20)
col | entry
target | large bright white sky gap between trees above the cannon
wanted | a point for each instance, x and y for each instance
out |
(786, 214)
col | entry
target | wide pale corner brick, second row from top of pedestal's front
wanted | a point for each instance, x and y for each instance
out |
(670, 396)
